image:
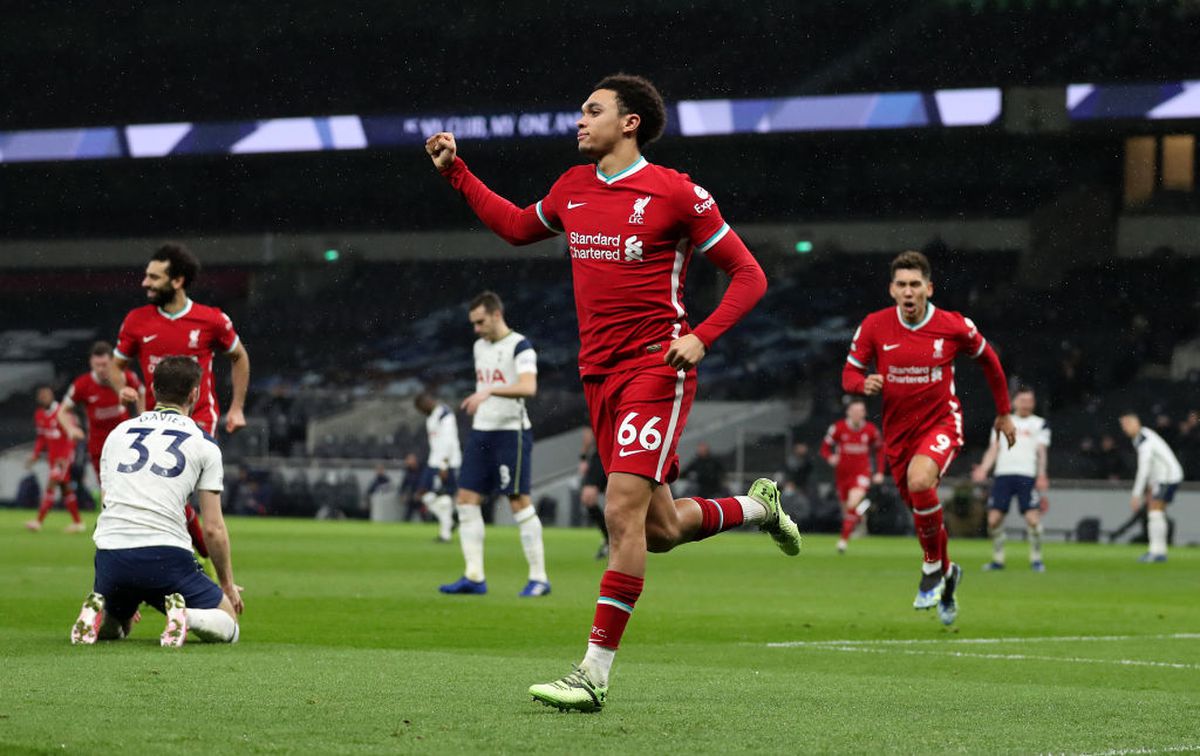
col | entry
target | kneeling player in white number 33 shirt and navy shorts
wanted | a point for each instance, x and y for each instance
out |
(148, 470)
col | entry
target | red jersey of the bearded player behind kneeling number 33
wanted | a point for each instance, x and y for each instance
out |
(149, 334)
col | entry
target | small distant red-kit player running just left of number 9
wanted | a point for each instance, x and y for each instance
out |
(849, 447)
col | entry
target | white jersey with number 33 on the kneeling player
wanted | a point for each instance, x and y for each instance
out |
(149, 467)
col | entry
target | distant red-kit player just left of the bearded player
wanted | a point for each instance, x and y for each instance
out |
(105, 409)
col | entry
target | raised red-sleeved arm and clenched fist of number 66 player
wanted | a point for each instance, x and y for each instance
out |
(507, 221)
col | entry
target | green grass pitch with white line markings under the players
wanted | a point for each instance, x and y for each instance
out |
(349, 647)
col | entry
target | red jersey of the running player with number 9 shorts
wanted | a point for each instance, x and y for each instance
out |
(917, 364)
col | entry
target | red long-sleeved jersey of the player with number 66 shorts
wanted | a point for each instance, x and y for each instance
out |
(631, 238)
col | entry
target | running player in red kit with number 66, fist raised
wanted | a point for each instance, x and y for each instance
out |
(625, 220)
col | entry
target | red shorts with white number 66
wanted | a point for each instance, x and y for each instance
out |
(638, 417)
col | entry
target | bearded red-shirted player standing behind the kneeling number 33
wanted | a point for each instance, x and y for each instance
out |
(172, 325)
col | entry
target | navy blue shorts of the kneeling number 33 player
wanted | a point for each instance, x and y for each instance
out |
(128, 578)
